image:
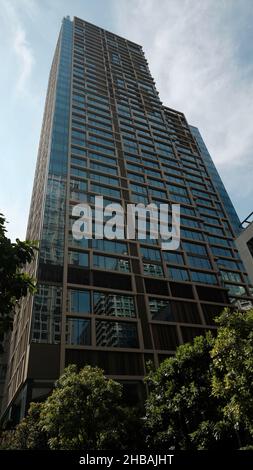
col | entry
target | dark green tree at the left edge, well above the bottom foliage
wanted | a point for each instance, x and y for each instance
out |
(14, 282)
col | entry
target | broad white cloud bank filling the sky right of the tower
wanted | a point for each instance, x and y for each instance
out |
(193, 53)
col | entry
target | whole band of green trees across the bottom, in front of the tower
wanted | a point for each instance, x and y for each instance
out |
(201, 398)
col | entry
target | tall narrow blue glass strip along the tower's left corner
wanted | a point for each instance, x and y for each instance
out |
(52, 237)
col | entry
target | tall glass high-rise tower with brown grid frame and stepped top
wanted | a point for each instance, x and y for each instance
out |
(117, 303)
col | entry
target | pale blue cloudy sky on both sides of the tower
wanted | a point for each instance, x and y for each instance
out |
(200, 55)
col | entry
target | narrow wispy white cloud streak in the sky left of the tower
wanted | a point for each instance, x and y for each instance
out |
(19, 43)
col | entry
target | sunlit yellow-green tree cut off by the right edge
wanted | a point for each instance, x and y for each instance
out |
(232, 380)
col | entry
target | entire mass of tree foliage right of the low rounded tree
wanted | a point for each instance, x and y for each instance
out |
(202, 398)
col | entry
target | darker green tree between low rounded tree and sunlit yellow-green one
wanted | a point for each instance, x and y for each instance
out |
(181, 411)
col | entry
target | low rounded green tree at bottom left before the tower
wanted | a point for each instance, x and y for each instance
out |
(84, 411)
